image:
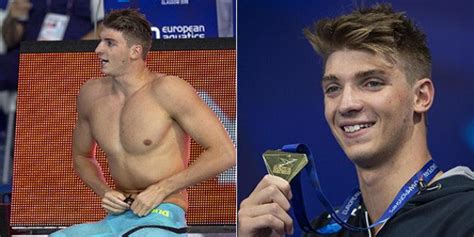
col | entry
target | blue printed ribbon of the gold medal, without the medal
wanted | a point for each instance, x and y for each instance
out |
(340, 217)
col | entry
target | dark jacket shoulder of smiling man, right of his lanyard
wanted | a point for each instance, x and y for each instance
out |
(444, 209)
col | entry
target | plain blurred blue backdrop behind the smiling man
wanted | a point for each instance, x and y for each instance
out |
(280, 100)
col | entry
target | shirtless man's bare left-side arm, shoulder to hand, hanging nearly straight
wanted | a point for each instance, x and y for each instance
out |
(85, 164)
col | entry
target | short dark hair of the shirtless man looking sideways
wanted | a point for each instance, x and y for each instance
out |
(134, 26)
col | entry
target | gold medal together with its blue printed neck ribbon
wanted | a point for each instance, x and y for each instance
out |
(292, 158)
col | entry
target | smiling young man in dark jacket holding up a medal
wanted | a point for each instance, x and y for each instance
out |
(377, 91)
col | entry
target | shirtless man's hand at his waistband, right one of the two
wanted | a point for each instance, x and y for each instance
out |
(148, 199)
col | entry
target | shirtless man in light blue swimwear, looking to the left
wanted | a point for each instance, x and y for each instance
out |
(143, 121)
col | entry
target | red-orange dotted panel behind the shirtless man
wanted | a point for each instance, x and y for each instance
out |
(46, 191)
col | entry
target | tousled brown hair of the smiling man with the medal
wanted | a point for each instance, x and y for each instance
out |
(378, 30)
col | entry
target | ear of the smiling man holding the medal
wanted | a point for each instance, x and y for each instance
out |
(424, 95)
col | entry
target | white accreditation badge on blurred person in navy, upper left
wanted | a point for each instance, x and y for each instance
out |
(54, 26)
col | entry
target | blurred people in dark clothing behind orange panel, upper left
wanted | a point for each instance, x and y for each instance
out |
(31, 20)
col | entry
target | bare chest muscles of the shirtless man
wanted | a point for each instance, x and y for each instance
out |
(133, 126)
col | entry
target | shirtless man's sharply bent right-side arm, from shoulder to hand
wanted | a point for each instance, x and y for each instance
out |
(200, 122)
